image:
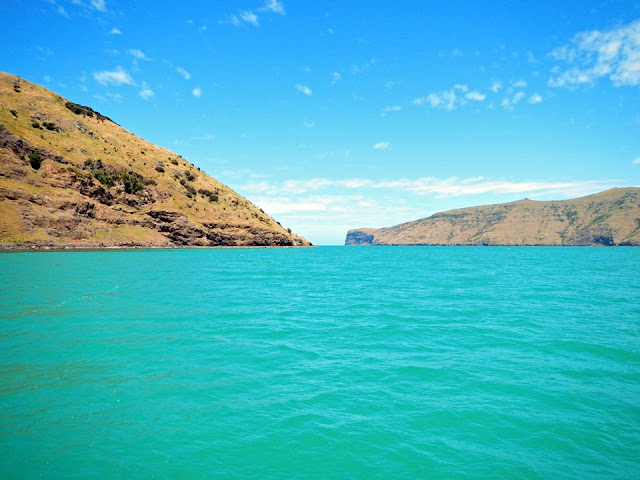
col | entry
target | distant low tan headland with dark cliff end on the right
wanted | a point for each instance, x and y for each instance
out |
(607, 218)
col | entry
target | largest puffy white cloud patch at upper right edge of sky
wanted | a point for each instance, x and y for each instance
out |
(591, 55)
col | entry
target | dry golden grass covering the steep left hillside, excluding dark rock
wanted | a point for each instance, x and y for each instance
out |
(78, 139)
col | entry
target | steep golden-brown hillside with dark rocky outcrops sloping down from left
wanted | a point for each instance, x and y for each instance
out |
(71, 177)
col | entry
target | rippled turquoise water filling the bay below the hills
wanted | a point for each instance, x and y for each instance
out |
(335, 362)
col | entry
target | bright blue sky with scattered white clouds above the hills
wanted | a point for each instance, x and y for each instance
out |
(337, 115)
